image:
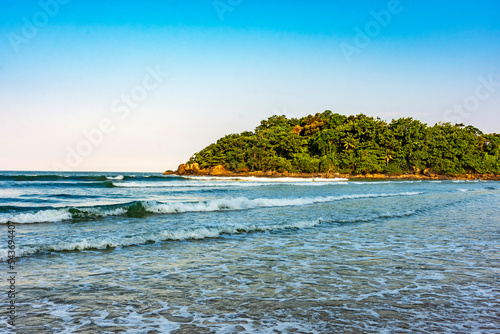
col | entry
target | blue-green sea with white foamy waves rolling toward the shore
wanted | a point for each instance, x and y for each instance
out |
(145, 253)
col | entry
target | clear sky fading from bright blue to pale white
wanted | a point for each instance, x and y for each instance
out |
(142, 85)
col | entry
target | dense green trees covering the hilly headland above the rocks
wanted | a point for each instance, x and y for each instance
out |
(329, 142)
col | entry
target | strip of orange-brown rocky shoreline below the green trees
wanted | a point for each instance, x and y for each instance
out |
(195, 170)
